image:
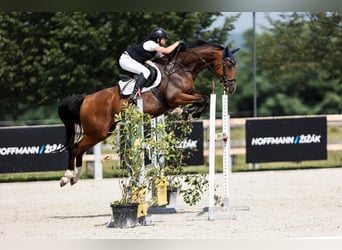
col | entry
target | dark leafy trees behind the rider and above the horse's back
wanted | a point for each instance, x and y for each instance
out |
(48, 56)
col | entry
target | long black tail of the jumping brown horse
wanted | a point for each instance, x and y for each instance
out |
(69, 113)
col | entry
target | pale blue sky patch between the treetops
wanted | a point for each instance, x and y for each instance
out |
(245, 20)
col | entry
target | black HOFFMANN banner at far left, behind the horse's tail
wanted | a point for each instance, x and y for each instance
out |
(32, 148)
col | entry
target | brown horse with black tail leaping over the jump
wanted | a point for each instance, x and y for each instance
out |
(94, 113)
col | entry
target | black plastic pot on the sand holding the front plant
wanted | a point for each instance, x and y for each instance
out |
(125, 215)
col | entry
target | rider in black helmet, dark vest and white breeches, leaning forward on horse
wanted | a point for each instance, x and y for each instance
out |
(134, 57)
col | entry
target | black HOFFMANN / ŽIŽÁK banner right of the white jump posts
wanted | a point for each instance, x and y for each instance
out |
(293, 139)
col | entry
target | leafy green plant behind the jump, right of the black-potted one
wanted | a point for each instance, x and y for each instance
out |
(170, 146)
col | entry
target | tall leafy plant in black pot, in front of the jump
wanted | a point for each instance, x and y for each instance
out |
(132, 180)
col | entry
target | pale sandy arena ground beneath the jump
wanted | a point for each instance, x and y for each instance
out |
(282, 204)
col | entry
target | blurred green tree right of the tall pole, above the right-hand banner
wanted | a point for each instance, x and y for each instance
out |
(305, 62)
